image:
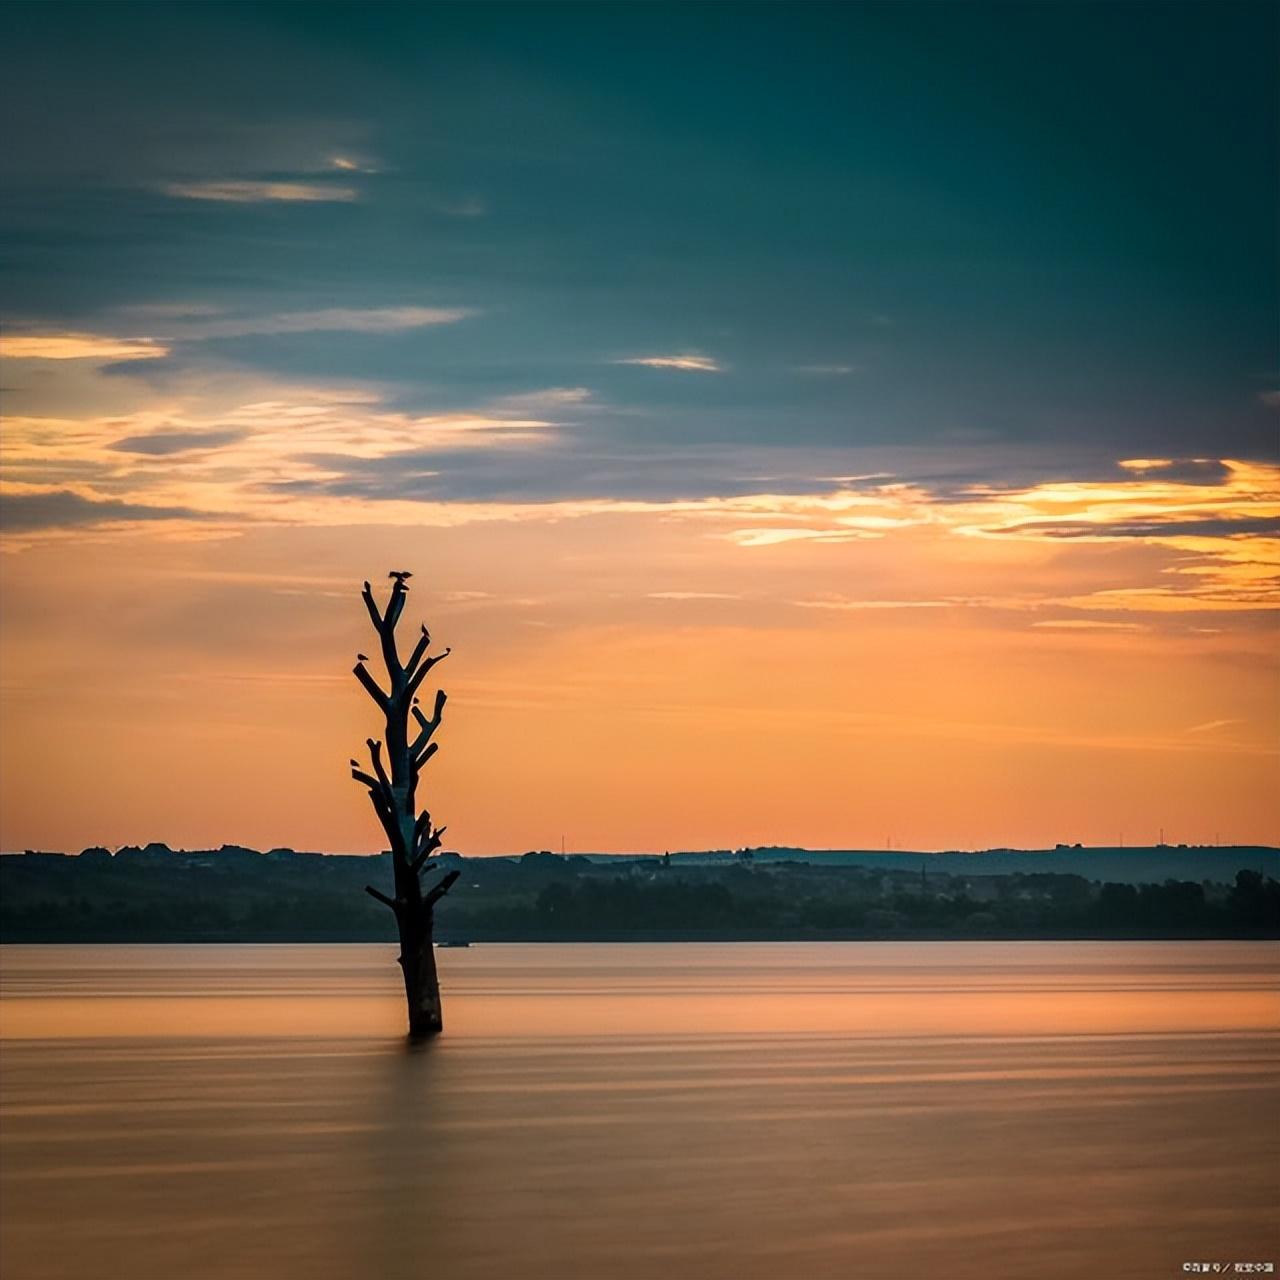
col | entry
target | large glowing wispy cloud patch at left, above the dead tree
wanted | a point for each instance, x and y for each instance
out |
(299, 455)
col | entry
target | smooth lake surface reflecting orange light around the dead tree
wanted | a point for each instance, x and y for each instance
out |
(665, 1112)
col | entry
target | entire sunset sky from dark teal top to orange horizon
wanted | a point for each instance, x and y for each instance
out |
(808, 426)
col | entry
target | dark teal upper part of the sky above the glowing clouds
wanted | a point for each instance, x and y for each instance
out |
(1028, 240)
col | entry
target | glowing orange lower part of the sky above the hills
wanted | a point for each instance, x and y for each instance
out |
(874, 661)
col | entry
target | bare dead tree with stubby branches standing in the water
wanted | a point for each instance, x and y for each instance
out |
(392, 783)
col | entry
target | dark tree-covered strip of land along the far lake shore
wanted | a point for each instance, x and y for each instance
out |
(154, 894)
